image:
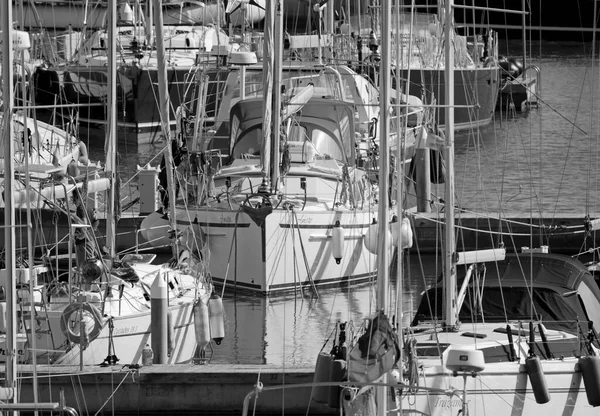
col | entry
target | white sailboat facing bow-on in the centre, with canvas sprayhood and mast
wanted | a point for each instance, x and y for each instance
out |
(294, 203)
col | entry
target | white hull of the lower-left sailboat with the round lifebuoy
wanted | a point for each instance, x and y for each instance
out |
(115, 325)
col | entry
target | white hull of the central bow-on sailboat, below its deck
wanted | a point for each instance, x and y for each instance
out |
(290, 251)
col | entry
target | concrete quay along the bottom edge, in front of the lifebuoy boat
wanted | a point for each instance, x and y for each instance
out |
(212, 389)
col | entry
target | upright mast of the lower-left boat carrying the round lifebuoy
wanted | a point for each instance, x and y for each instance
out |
(110, 146)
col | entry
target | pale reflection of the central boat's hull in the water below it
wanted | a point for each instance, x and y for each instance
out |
(291, 330)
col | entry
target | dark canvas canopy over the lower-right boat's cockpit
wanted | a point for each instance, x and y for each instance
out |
(553, 288)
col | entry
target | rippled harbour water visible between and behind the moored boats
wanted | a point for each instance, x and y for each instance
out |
(542, 161)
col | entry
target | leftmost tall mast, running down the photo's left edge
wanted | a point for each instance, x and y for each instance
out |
(9, 212)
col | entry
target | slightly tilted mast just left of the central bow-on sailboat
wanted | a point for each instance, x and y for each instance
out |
(164, 105)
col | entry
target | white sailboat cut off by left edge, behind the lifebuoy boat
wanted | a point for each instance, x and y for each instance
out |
(51, 163)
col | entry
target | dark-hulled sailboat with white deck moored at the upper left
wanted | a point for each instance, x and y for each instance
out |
(82, 80)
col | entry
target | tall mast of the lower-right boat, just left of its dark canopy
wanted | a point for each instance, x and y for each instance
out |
(450, 318)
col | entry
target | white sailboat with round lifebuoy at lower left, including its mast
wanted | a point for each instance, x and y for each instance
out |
(107, 309)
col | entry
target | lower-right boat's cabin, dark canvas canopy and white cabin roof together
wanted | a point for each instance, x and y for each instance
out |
(545, 304)
